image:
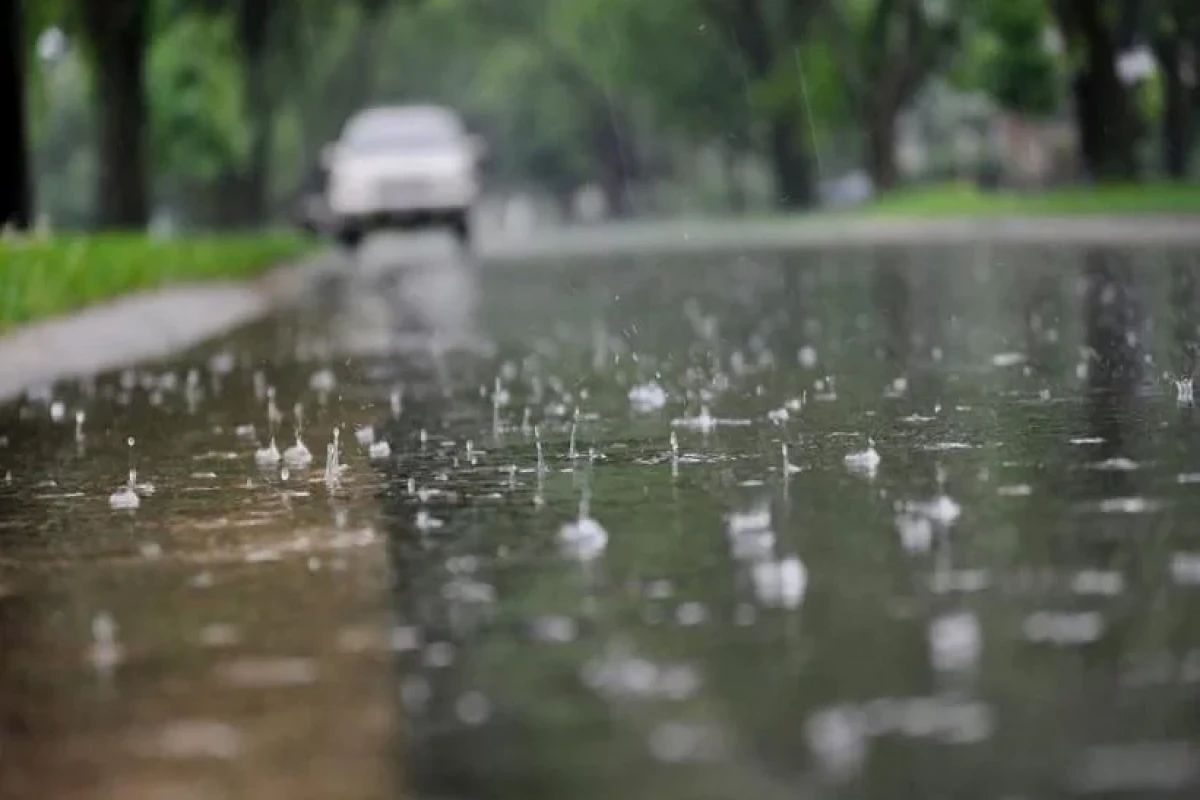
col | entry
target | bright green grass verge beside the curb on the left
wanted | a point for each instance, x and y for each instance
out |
(43, 278)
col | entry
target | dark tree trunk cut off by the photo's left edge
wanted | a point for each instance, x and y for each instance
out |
(16, 201)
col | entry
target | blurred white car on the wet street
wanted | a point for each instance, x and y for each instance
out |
(401, 167)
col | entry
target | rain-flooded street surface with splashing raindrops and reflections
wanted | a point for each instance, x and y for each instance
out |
(893, 524)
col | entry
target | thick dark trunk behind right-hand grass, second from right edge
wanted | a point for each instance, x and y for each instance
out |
(1105, 111)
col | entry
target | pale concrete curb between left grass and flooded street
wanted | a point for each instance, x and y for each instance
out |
(147, 326)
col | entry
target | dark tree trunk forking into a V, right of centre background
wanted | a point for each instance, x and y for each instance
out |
(889, 50)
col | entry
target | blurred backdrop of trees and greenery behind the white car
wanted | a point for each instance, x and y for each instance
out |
(211, 115)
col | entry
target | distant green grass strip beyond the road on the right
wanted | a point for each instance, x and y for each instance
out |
(965, 201)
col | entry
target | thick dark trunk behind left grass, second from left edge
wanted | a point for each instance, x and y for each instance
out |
(117, 32)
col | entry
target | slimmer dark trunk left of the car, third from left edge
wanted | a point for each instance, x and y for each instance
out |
(254, 27)
